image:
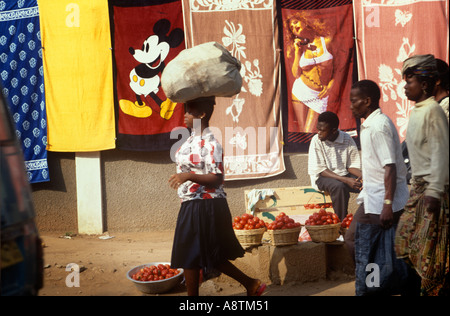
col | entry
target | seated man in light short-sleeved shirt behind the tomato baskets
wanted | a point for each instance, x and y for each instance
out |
(334, 164)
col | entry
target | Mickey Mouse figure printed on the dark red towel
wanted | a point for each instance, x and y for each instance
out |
(145, 77)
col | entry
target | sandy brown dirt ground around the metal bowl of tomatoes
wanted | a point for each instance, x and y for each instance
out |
(105, 260)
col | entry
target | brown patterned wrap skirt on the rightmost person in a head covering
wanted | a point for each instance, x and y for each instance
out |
(422, 239)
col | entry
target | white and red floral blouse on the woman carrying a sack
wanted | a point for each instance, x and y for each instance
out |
(200, 155)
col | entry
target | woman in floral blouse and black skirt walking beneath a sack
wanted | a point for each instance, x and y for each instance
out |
(204, 238)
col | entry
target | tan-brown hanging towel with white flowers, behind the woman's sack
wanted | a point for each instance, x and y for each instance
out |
(248, 125)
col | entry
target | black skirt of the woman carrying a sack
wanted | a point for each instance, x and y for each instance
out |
(204, 236)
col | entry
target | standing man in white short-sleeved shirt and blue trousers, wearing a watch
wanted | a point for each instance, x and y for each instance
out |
(385, 190)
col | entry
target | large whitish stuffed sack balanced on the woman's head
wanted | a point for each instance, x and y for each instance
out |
(202, 71)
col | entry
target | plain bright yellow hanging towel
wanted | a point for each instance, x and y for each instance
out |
(78, 75)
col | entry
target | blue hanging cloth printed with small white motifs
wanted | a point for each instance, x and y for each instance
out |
(22, 81)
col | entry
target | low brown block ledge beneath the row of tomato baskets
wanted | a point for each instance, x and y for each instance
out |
(303, 262)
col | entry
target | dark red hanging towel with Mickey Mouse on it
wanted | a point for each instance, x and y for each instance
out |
(147, 34)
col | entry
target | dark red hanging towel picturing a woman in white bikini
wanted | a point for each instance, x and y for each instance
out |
(322, 78)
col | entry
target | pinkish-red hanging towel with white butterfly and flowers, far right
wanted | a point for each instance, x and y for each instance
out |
(387, 34)
